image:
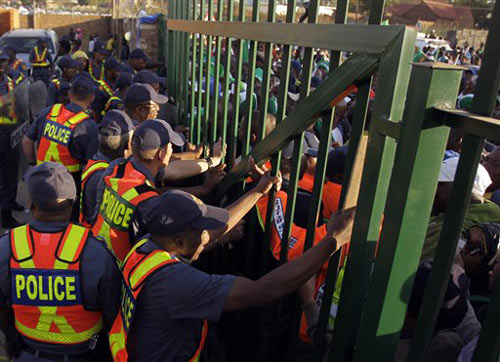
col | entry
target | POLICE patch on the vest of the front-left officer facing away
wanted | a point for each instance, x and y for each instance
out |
(42, 287)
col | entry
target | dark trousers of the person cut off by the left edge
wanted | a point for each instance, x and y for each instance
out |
(9, 171)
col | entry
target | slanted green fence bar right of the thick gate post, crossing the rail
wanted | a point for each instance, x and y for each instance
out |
(483, 104)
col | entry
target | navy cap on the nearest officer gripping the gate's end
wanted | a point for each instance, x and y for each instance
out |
(176, 211)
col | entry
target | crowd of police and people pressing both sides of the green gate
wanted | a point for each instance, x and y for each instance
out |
(103, 269)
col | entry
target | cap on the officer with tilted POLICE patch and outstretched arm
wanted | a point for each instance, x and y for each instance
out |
(155, 133)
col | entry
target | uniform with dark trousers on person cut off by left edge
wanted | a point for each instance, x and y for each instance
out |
(9, 157)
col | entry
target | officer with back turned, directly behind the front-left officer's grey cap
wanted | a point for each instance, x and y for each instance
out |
(66, 134)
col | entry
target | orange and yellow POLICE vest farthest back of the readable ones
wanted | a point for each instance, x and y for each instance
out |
(56, 136)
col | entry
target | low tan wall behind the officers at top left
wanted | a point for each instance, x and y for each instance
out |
(90, 24)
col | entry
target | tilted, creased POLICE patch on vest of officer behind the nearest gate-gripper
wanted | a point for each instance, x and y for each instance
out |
(116, 210)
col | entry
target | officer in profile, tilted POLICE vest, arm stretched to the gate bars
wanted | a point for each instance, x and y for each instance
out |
(127, 187)
